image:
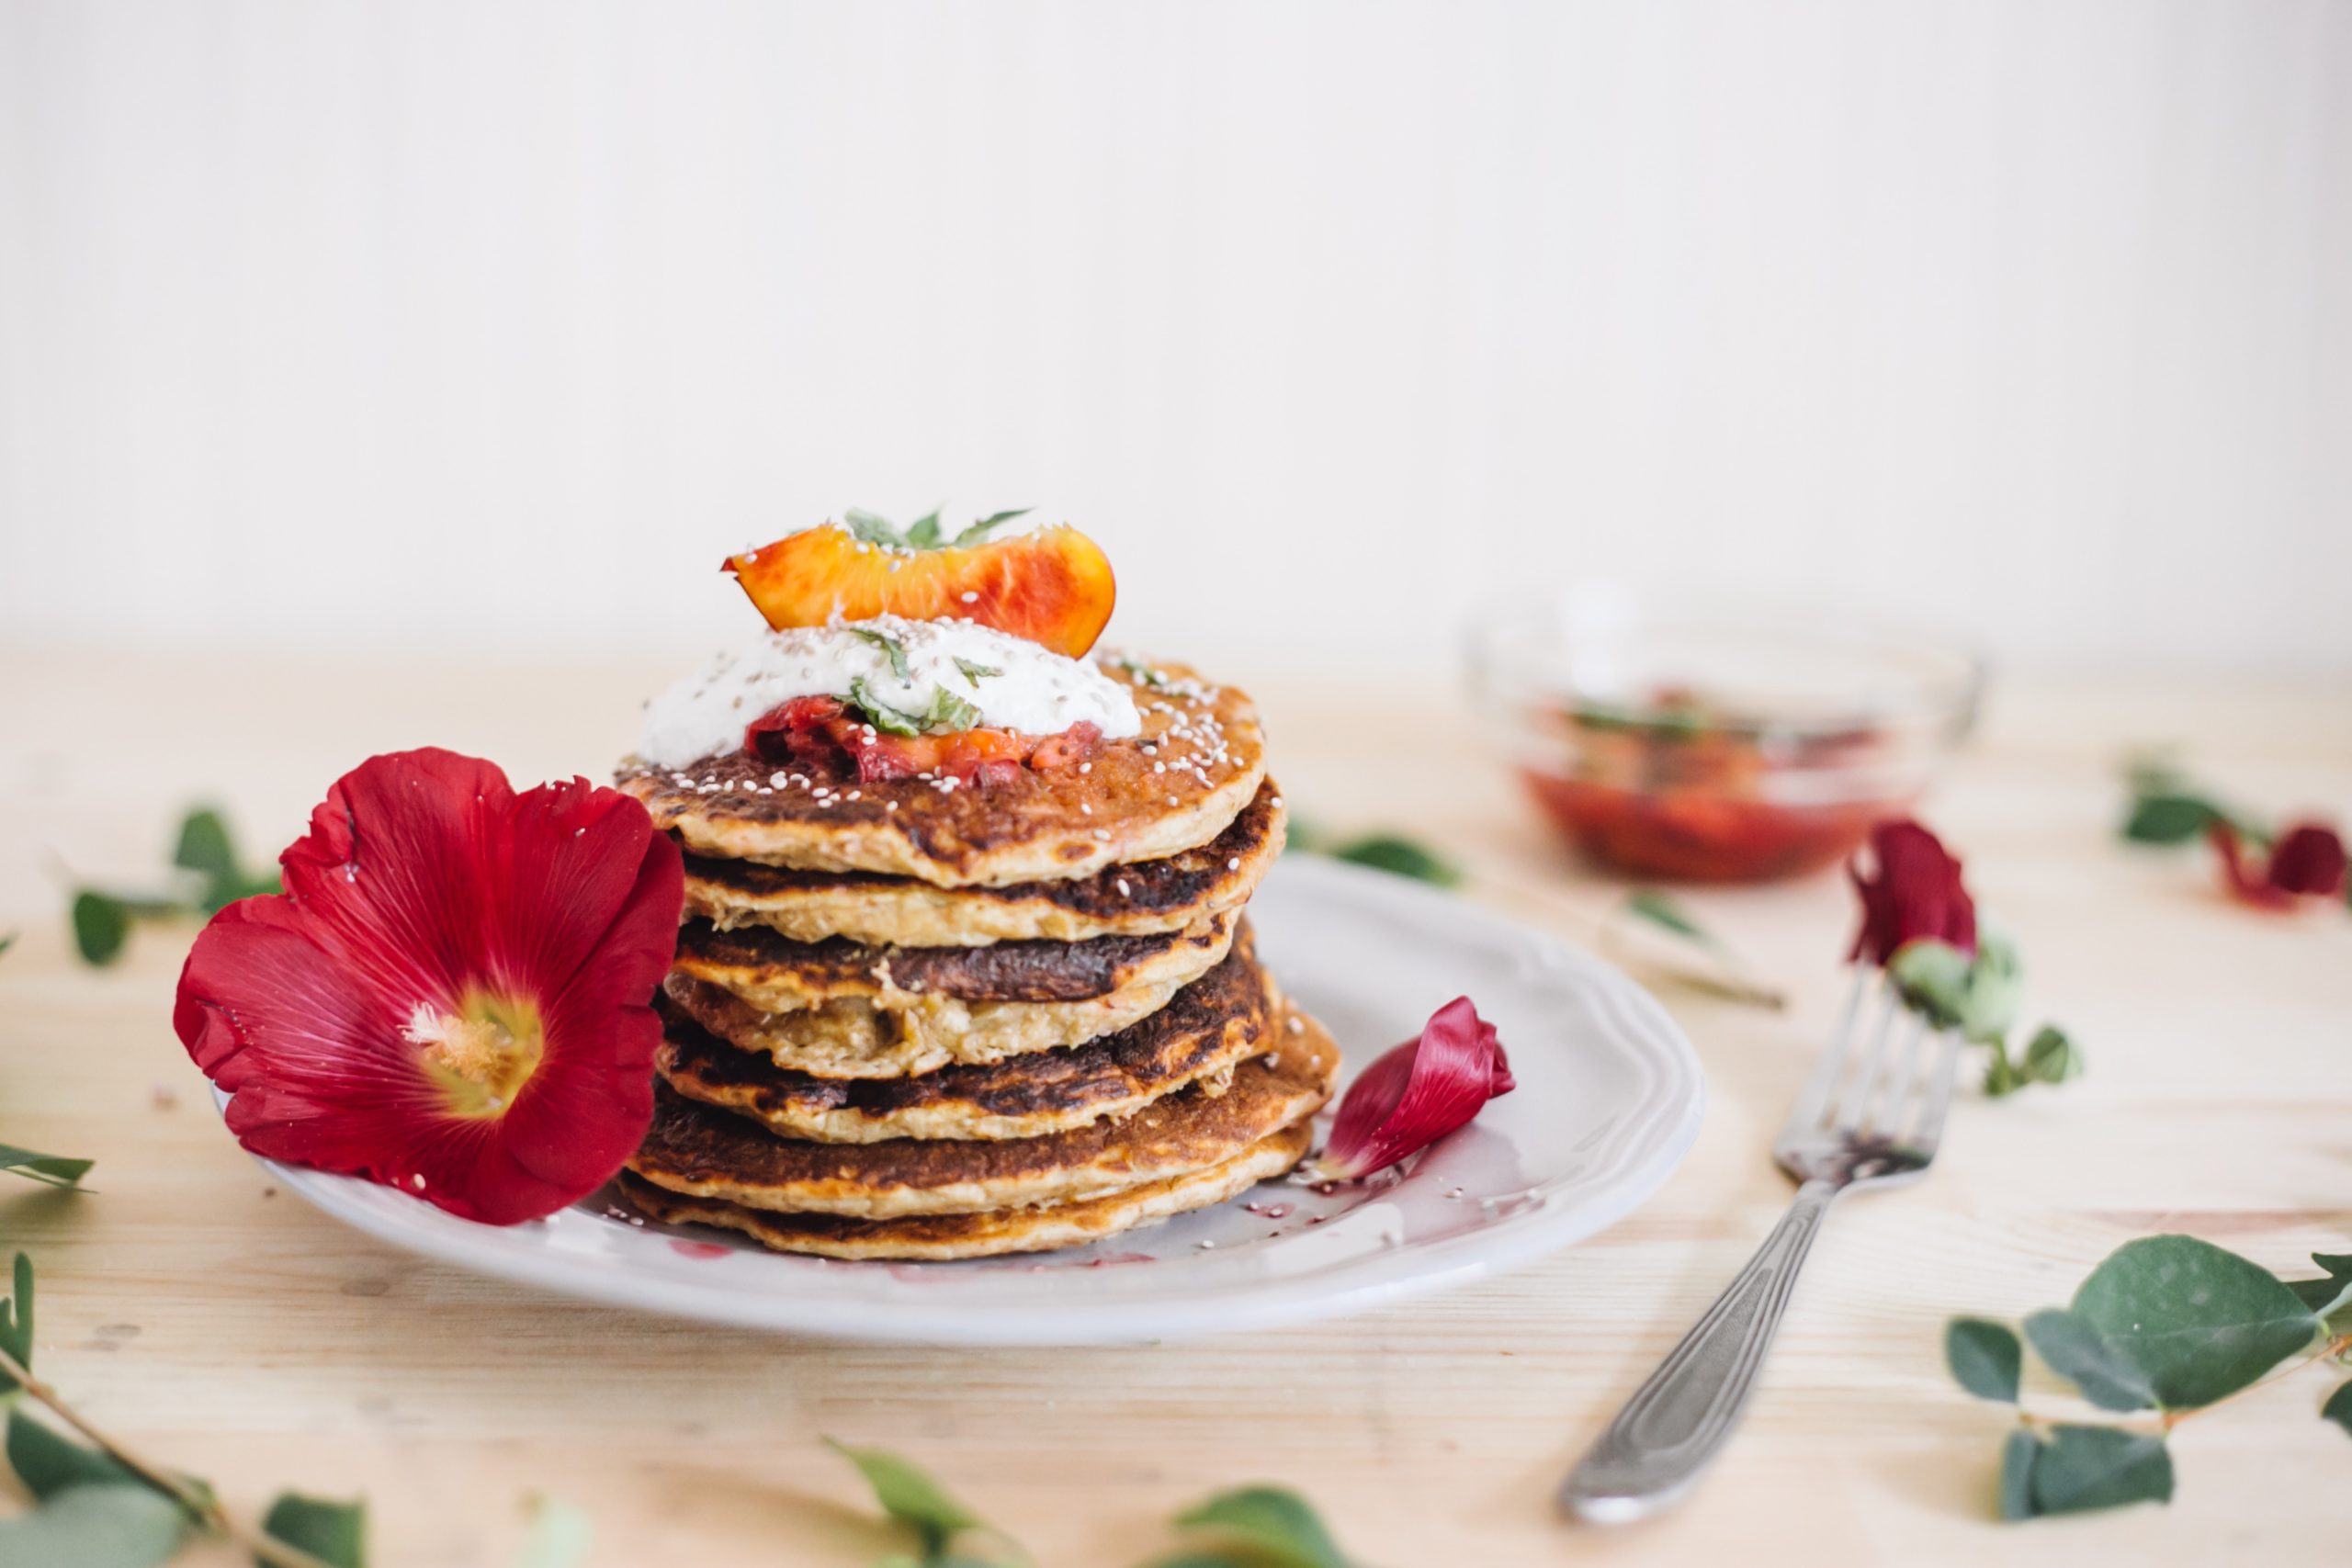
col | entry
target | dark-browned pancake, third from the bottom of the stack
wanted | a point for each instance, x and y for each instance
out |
(1198, 1038)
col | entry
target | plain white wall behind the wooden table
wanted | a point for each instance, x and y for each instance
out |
(410, 326)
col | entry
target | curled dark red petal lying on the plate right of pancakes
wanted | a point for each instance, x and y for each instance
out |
(1417, 1094)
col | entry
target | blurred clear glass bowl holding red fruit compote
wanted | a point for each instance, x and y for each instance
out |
(1720, 742)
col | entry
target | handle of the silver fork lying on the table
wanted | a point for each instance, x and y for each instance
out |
(1678, 1421)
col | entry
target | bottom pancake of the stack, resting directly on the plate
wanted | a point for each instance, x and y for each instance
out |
(984, 1235)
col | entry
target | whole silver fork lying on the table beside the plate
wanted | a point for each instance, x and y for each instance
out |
(1869, 1118)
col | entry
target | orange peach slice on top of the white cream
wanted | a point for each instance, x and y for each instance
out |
(1050, 587)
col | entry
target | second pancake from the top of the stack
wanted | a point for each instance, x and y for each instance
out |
(1135, 899)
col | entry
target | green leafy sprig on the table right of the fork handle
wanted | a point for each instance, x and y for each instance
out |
(2170, 1327)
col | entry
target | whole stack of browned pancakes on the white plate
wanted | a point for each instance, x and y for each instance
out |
(921, 1019)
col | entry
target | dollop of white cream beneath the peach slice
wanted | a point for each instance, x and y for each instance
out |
(1010, 681)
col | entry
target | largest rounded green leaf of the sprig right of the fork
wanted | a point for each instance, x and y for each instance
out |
(2196, 1320)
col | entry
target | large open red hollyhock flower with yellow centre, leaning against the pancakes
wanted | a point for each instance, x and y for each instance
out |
(453, 991)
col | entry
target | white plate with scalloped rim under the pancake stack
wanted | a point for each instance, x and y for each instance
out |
(1608, 1104)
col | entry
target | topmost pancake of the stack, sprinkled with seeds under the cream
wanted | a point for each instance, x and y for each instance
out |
(1180, 784)
